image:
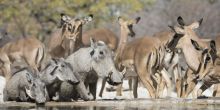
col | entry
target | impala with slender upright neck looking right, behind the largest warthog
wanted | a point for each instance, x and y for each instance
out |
(126, 27)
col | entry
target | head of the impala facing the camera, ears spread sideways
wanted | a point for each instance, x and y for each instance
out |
(72, 27)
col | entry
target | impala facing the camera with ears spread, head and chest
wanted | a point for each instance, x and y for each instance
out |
(68, 39)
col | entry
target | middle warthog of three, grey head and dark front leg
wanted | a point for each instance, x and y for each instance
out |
(57, 71)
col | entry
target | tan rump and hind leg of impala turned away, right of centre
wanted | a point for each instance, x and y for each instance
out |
(143, 49)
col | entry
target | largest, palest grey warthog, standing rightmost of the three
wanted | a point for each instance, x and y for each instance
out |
(98, 58)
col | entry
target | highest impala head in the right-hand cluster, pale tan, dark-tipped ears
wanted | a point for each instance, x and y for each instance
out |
(184, 32)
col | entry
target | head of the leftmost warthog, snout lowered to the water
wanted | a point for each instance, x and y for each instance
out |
(36, 89)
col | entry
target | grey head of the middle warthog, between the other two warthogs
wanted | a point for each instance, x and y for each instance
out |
(58, 70)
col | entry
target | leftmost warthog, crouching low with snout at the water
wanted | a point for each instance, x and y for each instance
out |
(25, 85)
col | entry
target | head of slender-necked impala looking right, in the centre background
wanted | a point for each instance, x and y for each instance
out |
(127, 25)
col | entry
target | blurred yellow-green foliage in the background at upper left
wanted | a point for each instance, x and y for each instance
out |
(39, 17)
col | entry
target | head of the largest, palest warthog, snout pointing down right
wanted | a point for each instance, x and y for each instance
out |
(102, 62)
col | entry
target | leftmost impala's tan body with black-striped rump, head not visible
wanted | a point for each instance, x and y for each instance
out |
(29, 49)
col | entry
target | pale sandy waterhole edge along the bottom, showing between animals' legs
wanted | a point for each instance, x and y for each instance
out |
(126, 102)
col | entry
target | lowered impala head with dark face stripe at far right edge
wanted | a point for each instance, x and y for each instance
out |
(207, 58)
